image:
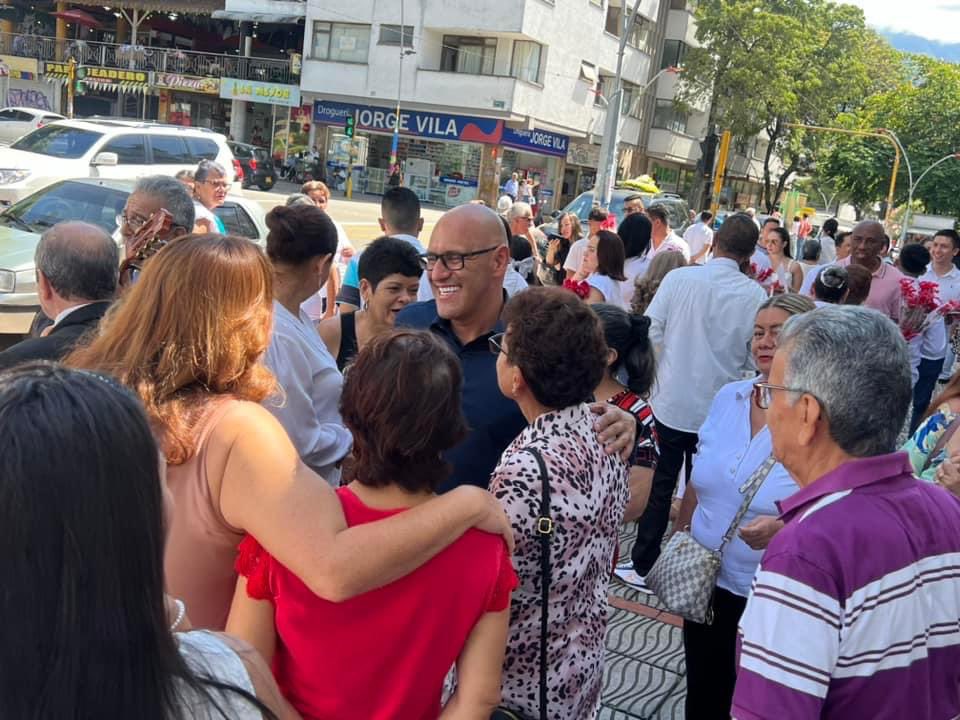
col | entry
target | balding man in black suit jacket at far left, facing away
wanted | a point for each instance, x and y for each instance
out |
(77, 266)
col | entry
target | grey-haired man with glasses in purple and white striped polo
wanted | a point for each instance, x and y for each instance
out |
(855, 608)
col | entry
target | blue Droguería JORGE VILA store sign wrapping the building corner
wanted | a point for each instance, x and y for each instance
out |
(440, 126)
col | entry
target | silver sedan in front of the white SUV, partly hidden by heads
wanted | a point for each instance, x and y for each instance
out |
(98, 202)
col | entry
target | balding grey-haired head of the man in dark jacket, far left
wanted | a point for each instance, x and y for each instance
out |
(80, 261)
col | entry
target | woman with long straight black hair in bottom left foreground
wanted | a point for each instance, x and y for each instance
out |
(82, 531)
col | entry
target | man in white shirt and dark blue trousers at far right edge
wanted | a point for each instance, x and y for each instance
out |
(935, 361)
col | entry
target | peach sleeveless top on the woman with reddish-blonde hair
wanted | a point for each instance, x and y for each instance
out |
(201, 545)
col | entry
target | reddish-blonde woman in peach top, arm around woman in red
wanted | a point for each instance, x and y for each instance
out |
(189, 339)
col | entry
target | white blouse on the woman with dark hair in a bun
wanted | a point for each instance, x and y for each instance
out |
(310, 385)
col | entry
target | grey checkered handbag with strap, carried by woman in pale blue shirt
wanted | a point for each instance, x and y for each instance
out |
(685, 575)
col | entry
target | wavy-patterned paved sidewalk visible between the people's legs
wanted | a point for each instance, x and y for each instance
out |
(644, 673)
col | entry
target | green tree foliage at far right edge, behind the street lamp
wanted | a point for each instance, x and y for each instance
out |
(922, 110)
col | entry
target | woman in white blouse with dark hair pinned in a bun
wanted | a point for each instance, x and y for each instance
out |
(302, 243)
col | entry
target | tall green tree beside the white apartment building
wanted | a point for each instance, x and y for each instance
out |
(770, 65)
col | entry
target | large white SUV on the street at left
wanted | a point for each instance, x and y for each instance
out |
(108, 149)
